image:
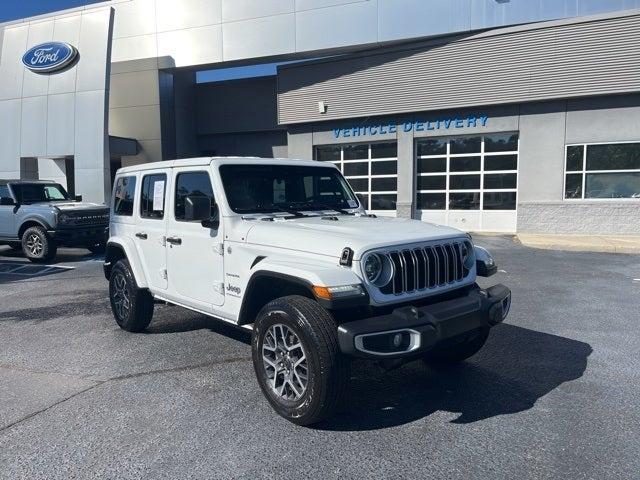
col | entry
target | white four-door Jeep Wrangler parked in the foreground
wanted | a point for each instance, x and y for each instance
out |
(284, 248)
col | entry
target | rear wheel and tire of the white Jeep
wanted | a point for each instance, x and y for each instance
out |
(132, 306)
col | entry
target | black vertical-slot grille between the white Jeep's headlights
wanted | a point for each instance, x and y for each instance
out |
(425, 267)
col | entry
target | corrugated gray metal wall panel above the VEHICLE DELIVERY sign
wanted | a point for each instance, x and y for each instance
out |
(545, 62)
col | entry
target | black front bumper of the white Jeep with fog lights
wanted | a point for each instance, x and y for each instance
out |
(411, 331)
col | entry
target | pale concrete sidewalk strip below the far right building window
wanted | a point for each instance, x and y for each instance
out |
(583, 243)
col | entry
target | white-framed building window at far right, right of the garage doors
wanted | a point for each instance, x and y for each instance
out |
(602, 171)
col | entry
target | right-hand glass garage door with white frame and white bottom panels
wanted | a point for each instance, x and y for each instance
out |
(469, 183)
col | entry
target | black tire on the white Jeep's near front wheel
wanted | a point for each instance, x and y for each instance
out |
(327, 369)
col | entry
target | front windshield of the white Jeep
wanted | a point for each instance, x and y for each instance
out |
(277, 188)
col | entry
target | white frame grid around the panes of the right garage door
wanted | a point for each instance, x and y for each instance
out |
(482, 172)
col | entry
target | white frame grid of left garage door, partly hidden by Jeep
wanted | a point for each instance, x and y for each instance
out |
(369, 177)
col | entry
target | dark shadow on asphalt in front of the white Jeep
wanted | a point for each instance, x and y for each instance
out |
(516, 367)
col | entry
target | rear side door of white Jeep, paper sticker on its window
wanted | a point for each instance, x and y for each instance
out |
(150, 226)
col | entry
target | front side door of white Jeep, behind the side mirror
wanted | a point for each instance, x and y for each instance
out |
(194, 253)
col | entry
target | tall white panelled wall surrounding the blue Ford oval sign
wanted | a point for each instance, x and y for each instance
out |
(60, 114)
